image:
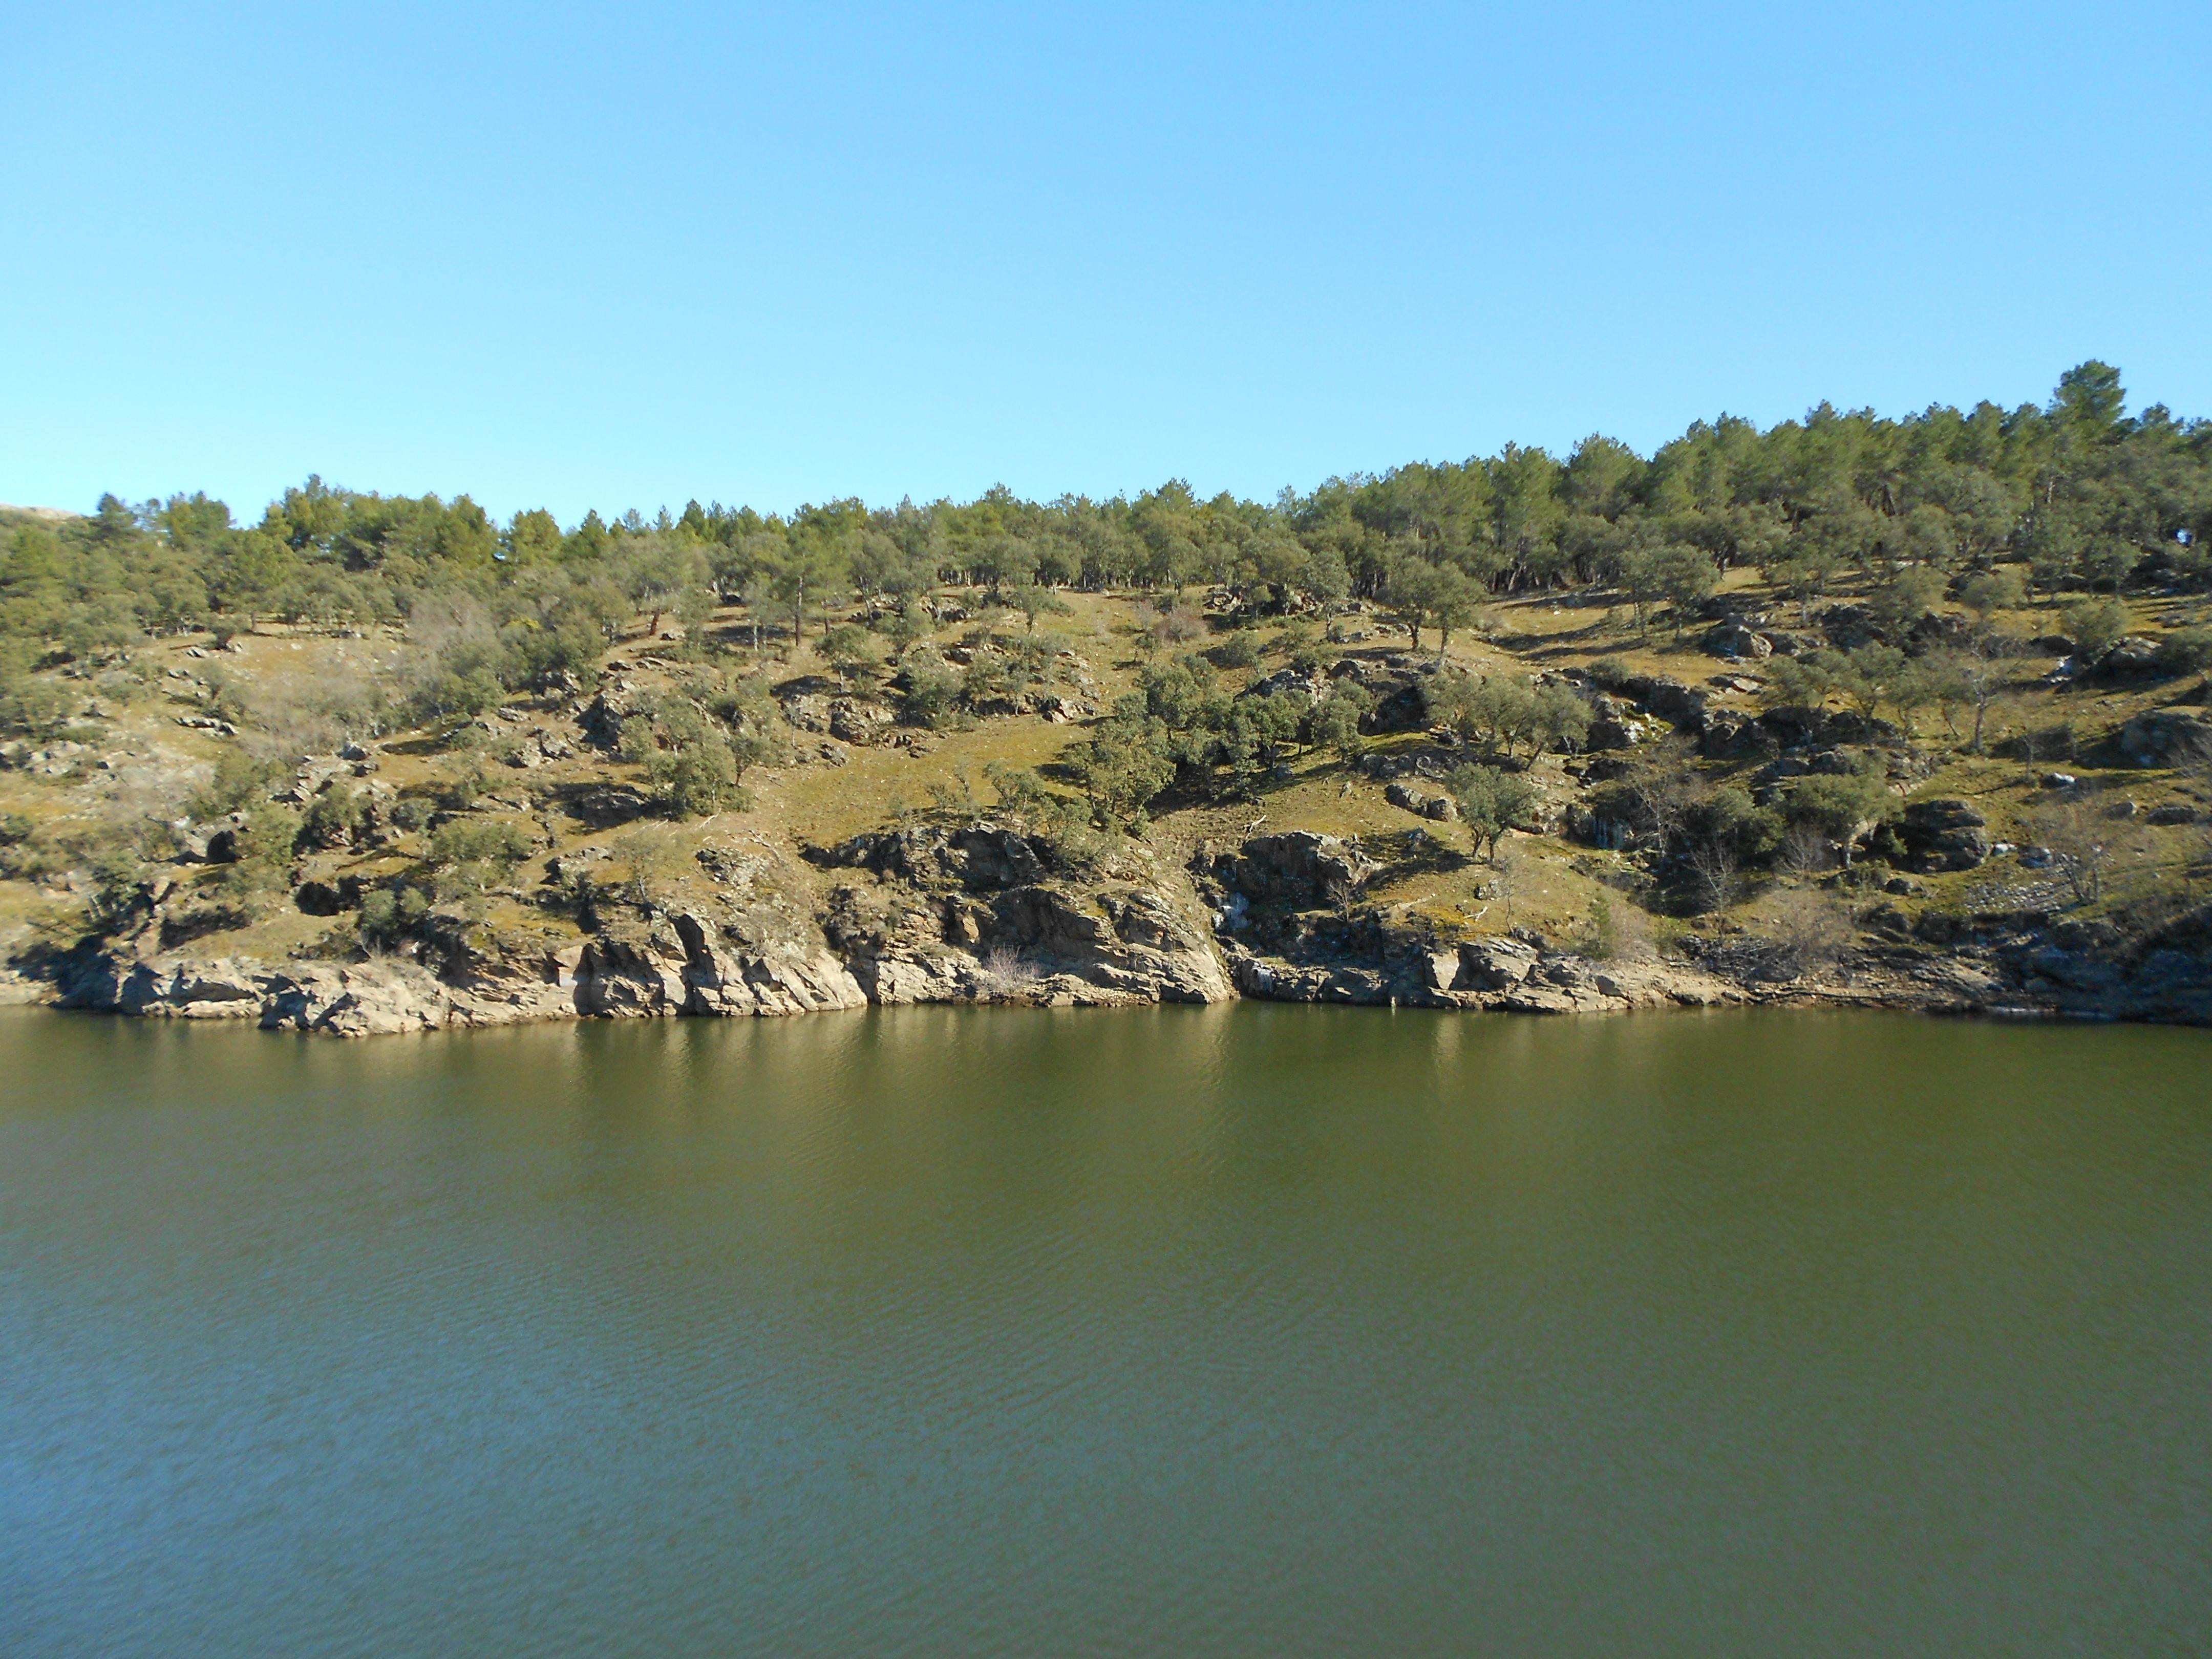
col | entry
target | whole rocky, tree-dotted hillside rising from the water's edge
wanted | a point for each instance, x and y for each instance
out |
(751, 766)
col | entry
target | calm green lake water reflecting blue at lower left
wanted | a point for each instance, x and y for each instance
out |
(1255, 1331)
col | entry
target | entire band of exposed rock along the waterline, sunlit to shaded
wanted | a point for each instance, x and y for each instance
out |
(988, 912)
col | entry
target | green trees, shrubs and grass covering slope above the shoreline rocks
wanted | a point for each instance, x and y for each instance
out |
(1711, 685)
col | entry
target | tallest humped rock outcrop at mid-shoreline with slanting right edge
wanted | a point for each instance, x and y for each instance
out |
(985, 912)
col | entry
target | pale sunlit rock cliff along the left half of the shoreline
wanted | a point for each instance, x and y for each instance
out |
(924, 915)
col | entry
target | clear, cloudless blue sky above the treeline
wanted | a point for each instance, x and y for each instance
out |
(627, 255)
